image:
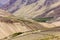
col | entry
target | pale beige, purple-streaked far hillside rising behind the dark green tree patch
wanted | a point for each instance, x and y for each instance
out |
(38, 9)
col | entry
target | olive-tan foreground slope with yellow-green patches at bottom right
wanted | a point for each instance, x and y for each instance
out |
(53, 34)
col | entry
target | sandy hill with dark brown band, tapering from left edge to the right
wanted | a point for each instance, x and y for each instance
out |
(10, 24)
